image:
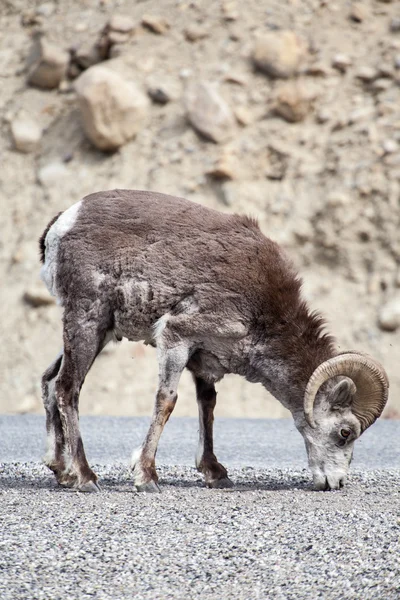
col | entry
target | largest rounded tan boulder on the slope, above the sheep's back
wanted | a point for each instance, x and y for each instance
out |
(113, 109)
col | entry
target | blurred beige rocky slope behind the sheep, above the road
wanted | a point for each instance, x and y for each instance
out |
(288, 110)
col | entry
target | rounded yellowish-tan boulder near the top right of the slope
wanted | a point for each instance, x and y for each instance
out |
(279, 53)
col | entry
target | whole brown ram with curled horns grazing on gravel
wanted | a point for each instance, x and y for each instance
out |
(214, 295)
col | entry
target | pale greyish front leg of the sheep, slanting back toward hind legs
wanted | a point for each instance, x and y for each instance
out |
(172, 361)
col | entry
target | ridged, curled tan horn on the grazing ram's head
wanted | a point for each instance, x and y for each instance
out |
(369, 378)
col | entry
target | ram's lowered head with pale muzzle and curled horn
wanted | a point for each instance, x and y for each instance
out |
(336, 415)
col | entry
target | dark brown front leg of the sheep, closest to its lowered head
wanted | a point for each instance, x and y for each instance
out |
(215, 474)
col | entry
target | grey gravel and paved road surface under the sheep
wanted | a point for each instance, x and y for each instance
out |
(270, 537)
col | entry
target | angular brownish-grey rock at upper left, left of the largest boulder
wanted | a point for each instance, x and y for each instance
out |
(47, 64)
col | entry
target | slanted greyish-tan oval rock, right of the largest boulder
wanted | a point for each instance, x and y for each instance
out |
(208, 112)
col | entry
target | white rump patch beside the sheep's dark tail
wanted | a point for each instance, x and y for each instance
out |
(59, 228)
